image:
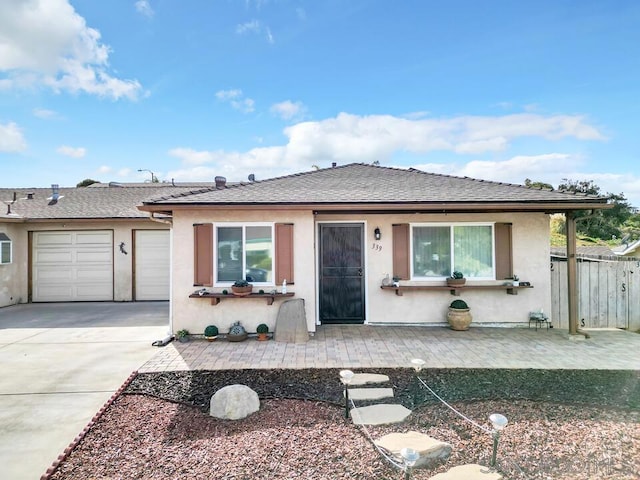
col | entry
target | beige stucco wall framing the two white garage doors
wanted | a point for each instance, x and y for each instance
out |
(14, 285)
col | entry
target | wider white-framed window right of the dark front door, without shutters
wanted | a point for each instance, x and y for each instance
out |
(437, 250)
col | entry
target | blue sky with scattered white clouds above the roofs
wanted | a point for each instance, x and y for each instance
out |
(497, 90)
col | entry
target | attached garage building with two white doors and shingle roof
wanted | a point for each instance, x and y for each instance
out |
(84, 244)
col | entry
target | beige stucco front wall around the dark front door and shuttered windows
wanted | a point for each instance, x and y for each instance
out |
(530, 258)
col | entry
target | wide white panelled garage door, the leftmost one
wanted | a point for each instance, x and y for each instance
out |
(73, 266)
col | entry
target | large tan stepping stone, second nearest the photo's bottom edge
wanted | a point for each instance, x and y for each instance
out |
(431, 451)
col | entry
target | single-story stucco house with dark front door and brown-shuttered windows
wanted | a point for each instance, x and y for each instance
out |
(337, 235)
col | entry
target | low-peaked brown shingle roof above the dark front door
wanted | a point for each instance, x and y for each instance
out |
(358, 183)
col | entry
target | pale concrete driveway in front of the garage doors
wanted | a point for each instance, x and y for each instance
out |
(59, 363)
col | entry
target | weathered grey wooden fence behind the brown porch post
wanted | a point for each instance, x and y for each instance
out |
(608, 293)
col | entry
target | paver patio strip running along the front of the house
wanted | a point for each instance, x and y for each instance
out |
(362, 346)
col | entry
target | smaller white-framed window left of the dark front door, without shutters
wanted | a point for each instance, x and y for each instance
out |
(244, 252)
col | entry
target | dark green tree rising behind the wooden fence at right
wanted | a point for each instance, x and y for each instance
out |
(603, 224)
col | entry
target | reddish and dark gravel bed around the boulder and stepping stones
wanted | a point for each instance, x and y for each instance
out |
(562, 425)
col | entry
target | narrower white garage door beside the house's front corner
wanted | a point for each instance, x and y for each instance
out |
(152, 265)
